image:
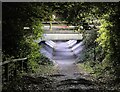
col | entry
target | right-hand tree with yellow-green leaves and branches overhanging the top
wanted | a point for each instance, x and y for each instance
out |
(107, 38)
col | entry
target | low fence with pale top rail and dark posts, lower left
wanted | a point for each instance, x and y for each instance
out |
(6, 64)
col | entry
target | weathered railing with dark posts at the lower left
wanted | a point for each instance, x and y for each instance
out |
(22, 63)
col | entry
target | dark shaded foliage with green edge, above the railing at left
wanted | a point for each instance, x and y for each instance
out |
(17, 41)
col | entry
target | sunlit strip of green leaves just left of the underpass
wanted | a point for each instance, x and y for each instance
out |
(34, 54)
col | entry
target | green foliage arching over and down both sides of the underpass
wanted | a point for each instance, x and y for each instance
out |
(102, 47)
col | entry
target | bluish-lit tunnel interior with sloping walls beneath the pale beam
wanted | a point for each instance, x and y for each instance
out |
(62, 52)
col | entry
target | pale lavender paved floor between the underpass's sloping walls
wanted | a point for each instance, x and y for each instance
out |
(63, 54)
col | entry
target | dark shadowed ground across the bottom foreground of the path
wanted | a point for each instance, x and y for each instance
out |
(51, 83)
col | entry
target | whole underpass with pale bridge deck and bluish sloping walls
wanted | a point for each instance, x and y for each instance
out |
(62, 44)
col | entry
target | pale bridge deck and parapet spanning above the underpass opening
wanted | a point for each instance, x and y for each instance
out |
(60, 33)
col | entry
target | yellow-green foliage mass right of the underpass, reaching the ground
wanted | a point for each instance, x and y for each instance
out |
(104, 44)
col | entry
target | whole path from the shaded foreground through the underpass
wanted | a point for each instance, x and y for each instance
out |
(67, 78)
